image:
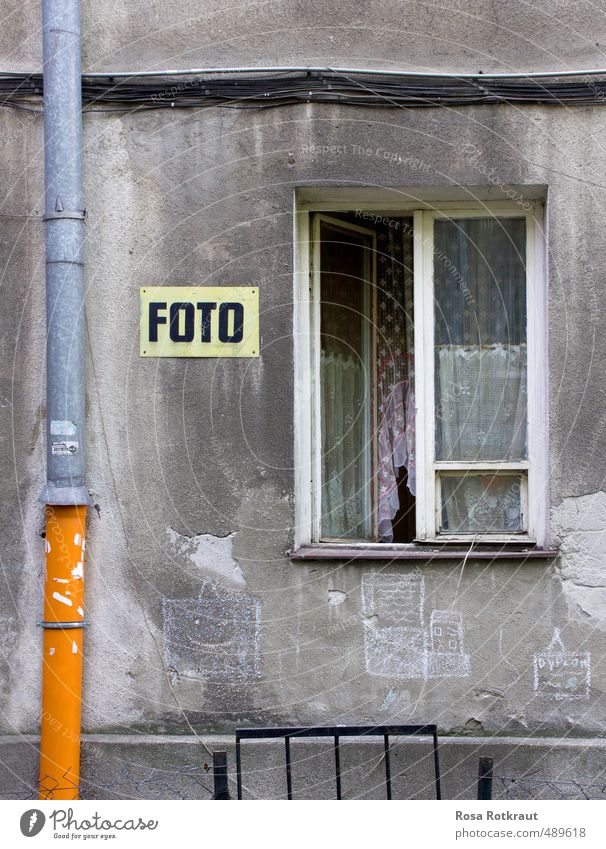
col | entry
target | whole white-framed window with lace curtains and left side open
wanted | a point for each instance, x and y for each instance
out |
(420, 400)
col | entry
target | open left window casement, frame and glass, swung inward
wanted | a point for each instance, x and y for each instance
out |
(344, 368)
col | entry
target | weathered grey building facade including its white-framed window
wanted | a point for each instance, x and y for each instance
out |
(430, 300)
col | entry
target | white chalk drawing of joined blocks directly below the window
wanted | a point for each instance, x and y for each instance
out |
(401, 646)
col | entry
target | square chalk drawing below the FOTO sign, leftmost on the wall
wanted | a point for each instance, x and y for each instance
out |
(215, 637)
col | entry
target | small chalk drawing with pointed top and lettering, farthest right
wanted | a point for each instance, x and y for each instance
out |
(560, 674)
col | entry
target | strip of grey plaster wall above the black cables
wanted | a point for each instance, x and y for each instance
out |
(453, 35)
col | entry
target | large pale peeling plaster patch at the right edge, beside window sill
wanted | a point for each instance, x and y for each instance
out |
(579, 525)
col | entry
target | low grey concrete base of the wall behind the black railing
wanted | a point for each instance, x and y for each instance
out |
(179, 767)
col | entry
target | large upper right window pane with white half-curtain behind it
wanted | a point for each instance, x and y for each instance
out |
(480, 339)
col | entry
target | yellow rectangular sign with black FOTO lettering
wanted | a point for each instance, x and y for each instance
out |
(206, 321)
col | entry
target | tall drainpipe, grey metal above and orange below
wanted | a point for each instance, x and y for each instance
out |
(65, 493)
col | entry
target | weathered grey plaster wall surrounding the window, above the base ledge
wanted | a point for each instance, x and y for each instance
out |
(191, 462)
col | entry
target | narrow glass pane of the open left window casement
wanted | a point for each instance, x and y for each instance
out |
(345, 330)
